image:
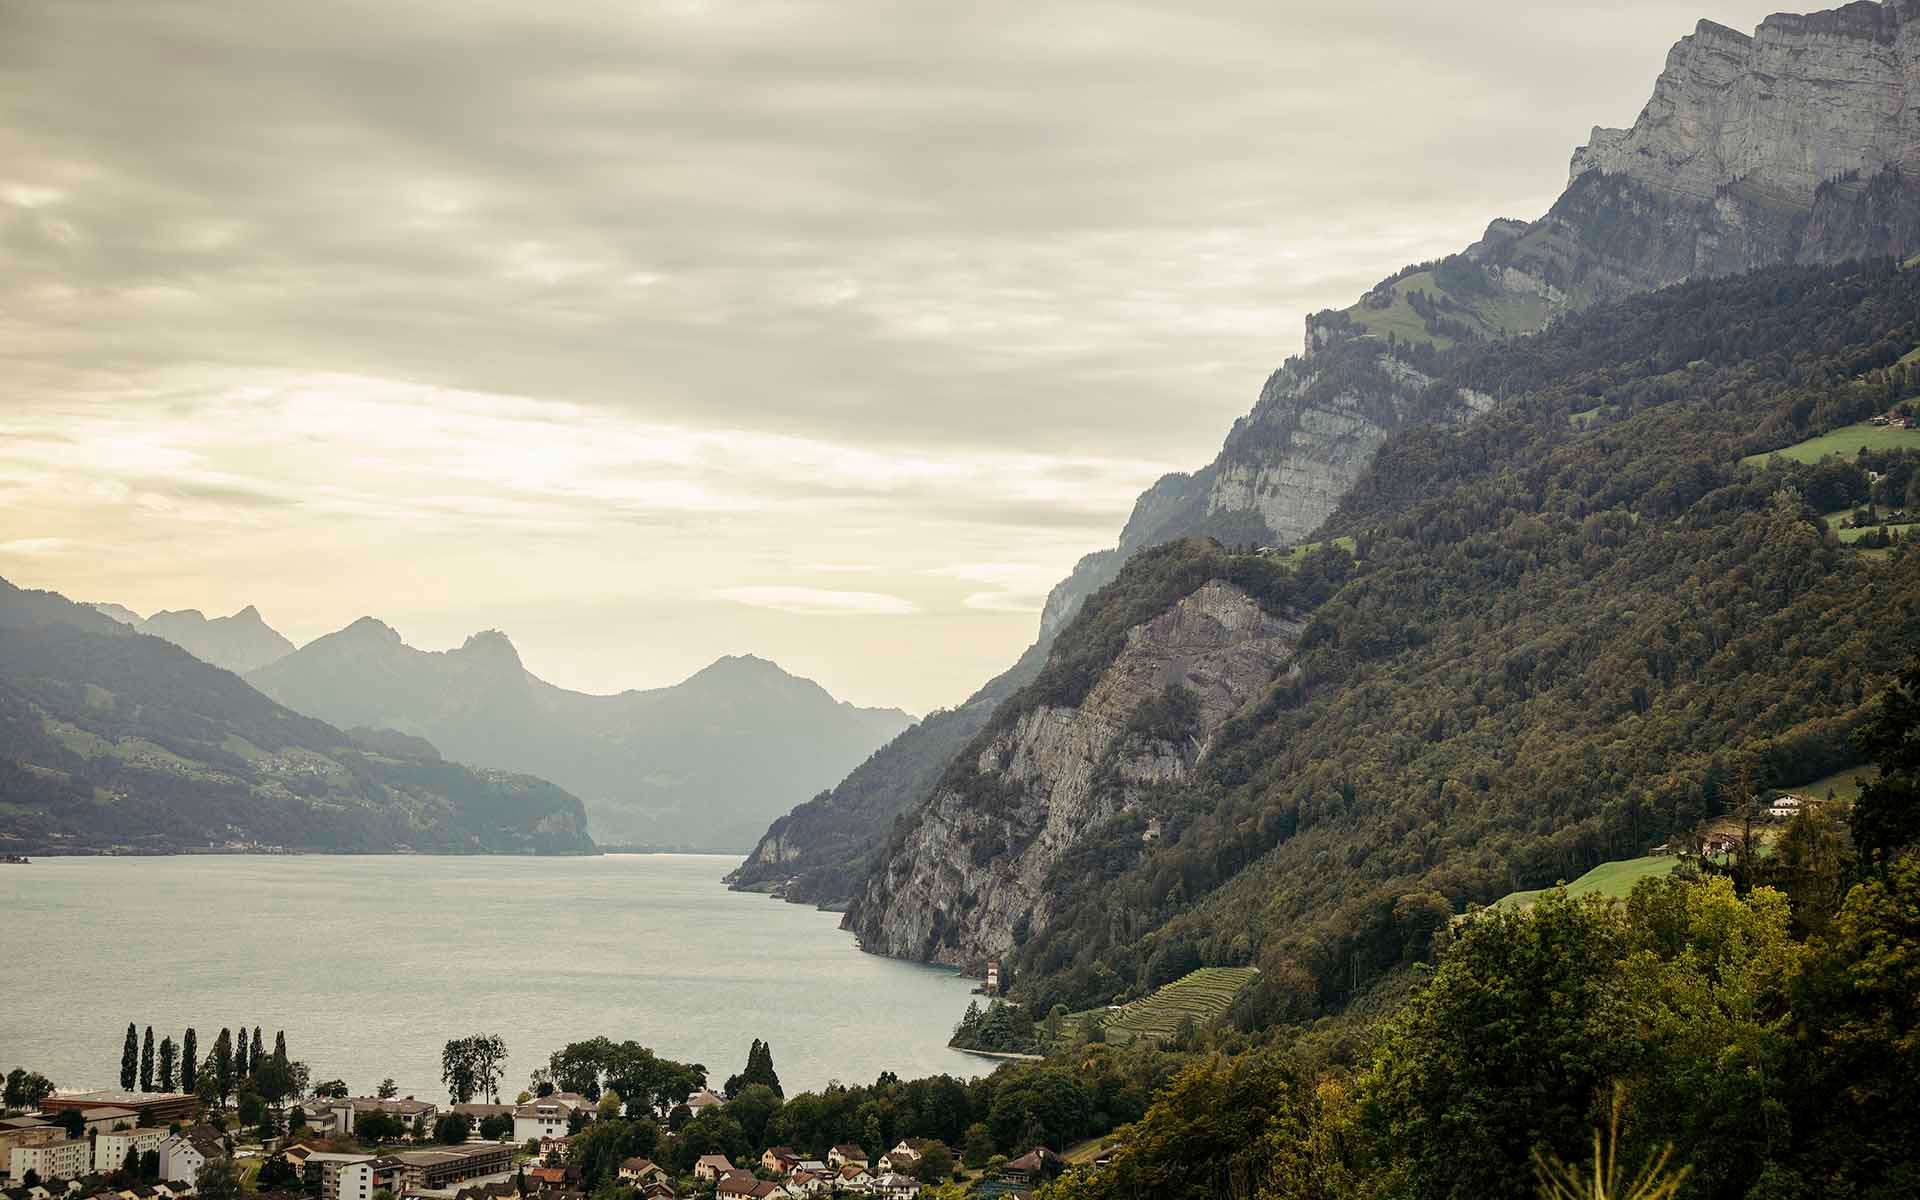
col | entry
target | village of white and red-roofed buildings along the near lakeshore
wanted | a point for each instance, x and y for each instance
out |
(122, 1145)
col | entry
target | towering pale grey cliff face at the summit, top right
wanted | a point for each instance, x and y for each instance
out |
(1796, 145)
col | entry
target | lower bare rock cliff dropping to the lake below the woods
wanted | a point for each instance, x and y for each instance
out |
(972, 869)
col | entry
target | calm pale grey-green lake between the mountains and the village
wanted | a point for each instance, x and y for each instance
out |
(372, 963)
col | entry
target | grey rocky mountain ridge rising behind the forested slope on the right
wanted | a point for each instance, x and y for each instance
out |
(1783, 147)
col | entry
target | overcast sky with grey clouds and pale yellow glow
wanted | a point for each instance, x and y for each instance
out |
(660, 331)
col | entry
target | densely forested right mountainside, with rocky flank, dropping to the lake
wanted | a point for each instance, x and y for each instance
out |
(1556, 642)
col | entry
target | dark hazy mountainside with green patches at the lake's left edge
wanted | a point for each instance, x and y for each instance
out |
(118, 740)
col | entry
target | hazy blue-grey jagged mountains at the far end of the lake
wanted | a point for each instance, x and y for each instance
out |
(702, 765)
